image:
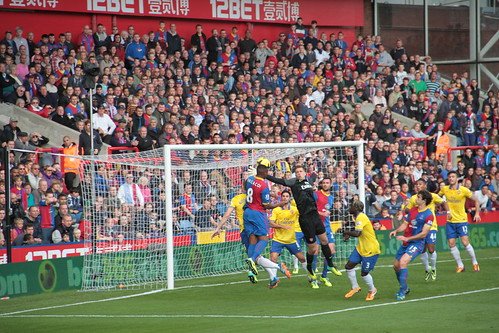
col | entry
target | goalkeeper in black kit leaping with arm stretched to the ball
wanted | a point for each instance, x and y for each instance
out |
(310, 222)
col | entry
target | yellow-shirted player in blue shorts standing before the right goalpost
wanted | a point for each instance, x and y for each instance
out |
(366, 251)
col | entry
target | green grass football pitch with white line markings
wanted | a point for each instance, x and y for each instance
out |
(466, 302)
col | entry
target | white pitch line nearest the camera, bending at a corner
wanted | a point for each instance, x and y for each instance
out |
(170, 316)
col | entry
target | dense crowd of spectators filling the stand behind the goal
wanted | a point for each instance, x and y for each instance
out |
(160, 88)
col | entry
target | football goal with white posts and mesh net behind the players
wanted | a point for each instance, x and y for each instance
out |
(152, 214)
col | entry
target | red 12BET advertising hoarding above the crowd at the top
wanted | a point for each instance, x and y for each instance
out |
(327, 13)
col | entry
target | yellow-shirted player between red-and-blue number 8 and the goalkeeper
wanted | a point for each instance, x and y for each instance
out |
(283, 220)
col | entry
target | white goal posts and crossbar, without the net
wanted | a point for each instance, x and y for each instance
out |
(168, 149)
